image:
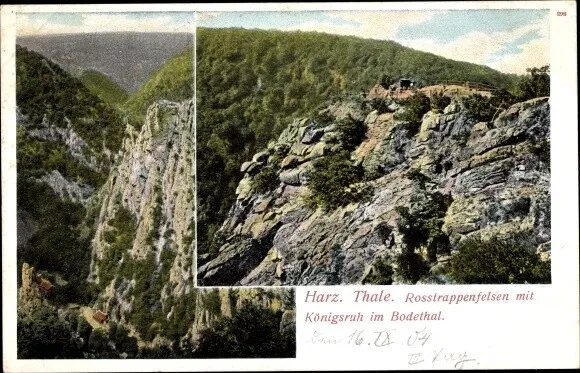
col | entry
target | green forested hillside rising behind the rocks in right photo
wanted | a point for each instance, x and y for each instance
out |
(251, 84)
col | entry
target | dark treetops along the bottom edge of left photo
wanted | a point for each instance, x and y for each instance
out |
(48, 334)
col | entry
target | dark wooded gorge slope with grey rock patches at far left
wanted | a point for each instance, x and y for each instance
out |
(66, 142)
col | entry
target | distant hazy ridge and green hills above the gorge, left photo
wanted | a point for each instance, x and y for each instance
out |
(125, 70)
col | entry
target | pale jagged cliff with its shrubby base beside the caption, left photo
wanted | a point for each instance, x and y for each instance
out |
(143, 248)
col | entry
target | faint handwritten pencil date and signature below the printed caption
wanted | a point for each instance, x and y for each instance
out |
(420, 353)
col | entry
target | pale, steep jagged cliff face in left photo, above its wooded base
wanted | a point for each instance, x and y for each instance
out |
(154, 181)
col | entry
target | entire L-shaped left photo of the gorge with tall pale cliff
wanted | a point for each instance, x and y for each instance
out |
(106, 199)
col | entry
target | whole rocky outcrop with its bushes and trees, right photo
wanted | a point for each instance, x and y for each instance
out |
(446, 188)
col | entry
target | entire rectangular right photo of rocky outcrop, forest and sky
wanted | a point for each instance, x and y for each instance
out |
(374, 148)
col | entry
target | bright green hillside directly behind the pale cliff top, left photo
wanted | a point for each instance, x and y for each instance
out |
(173, 81)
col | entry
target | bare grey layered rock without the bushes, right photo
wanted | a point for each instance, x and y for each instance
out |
(495, 173)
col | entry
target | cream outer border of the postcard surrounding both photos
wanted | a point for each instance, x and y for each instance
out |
(561, 346)
